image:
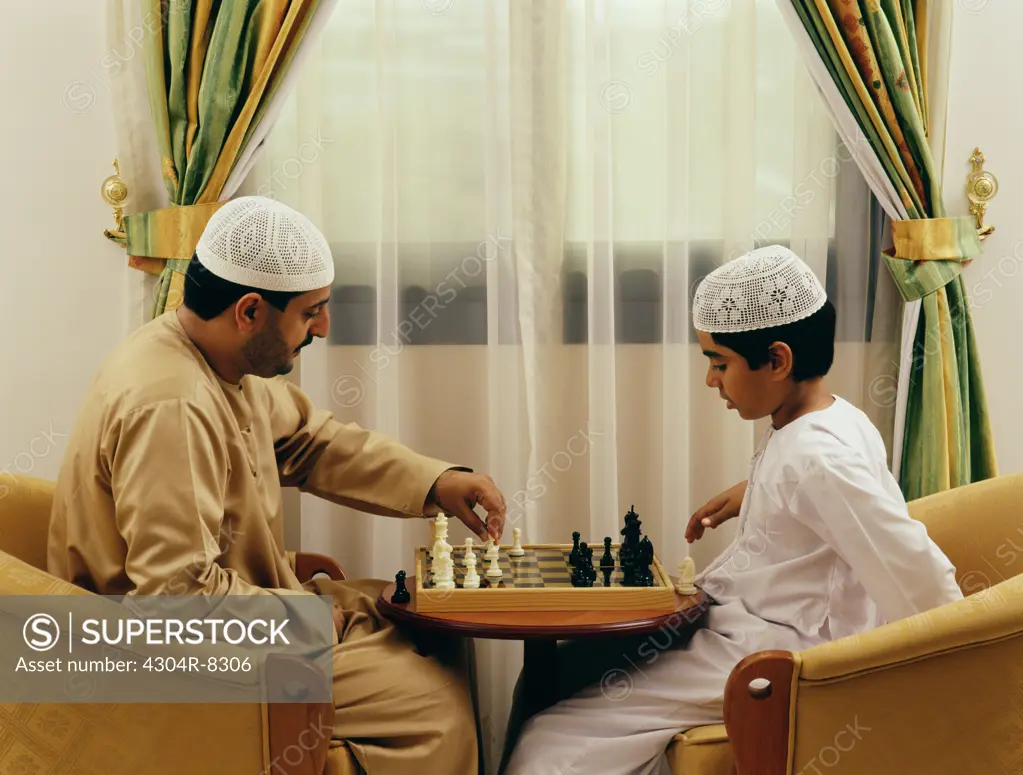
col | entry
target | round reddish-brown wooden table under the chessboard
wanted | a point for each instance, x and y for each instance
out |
(541, 632)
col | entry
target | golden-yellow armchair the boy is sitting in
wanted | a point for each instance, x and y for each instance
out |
(940, 694)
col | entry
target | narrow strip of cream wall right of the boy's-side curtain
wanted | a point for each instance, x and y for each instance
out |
(986, 112)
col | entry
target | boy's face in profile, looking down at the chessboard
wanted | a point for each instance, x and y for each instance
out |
(753, 393)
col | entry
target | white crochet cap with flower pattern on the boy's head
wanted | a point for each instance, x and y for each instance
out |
(765, 289)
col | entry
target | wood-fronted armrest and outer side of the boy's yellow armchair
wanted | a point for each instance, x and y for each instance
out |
(940, 693)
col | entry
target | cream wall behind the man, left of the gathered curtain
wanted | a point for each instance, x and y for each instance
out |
(63, 284)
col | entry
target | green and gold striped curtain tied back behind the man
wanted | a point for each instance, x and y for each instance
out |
(212, 69)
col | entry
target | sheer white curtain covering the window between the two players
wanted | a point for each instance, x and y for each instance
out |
(521, 197)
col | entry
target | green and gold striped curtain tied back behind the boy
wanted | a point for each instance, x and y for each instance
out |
(873, 53)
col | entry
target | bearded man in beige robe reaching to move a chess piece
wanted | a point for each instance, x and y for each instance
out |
(171, 483)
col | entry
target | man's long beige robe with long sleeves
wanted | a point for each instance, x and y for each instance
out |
(171, 485)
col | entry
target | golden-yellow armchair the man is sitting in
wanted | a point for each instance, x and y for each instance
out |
(158, 739)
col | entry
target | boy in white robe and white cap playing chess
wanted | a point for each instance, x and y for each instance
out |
(825, 545)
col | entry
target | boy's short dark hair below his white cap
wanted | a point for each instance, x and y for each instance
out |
(812, 341)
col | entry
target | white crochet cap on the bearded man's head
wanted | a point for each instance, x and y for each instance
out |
(262, 244)
